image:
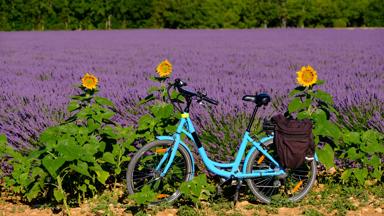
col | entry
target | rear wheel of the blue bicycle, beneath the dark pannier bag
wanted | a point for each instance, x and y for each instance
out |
(294, 186)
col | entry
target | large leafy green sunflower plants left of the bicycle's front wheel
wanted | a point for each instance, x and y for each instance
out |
(76, 159)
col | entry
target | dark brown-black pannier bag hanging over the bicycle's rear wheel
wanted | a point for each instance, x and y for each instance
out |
(294, 140)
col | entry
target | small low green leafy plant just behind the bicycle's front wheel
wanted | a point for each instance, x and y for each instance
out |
(197, 189)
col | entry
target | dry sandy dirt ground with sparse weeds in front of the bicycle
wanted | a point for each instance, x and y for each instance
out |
(313, 205)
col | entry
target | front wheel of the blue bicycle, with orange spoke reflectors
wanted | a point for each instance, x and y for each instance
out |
(149, 162)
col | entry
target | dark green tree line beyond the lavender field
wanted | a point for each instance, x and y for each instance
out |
(121, 14)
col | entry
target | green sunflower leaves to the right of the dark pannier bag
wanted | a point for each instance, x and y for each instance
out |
(364, 149)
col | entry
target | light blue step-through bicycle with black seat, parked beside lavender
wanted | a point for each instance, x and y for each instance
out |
(167, 162)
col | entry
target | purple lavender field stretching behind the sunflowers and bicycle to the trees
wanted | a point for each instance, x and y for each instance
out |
(38, 70)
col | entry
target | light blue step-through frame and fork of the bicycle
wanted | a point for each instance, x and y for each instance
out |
(186, 127)
